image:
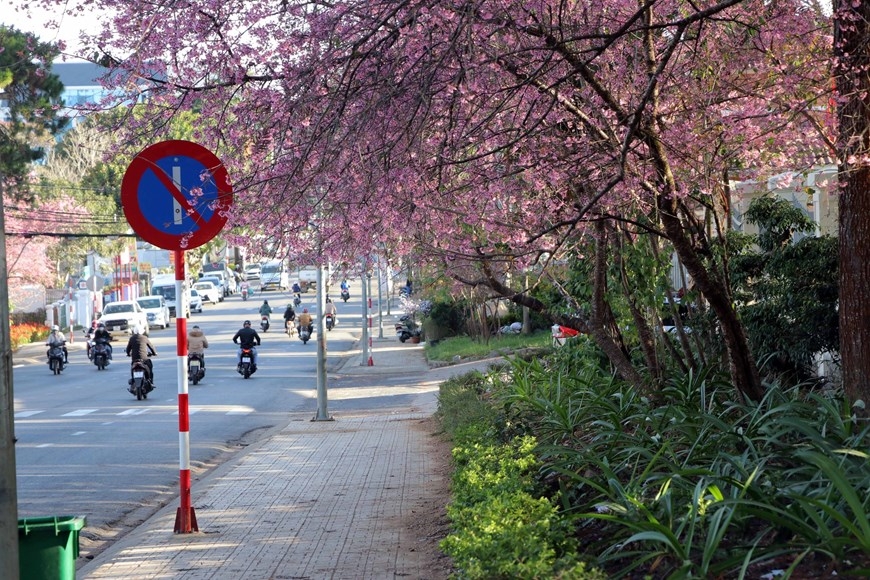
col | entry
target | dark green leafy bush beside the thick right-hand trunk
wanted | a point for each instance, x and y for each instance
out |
(787, 292)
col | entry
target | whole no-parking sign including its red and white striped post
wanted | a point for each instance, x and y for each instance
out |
(176, 195)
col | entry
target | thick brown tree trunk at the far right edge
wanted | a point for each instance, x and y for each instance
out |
(851, 30)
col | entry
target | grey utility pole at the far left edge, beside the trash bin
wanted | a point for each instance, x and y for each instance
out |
(8, 489)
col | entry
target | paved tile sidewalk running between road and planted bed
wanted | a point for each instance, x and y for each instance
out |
(317, 500)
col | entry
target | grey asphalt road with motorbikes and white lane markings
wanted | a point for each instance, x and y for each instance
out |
(86, 446)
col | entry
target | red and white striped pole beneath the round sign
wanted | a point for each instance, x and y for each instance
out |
(185, 517)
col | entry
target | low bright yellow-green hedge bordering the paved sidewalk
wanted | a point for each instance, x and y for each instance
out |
(502, 526)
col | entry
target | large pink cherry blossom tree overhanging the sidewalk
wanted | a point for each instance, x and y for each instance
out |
(487, 134)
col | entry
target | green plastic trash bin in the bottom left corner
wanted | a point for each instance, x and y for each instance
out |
(48, 547)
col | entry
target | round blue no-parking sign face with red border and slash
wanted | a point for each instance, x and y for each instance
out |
(176, 195)
